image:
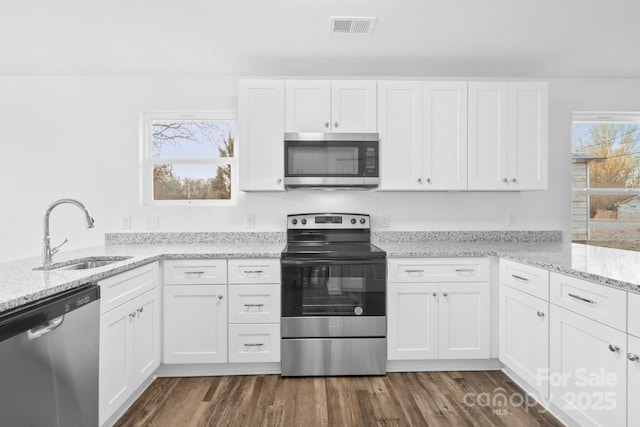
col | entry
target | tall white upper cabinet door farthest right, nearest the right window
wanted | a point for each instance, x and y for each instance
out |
(528, 136)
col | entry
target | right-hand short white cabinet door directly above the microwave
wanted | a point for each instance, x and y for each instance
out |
(353, 106)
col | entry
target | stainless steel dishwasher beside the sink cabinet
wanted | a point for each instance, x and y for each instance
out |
(49, 361)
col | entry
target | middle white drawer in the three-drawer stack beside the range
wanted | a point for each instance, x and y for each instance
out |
(254, 304)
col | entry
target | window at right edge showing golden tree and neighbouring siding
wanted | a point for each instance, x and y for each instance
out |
(606, 179)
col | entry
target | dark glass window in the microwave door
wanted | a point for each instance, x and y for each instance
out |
(322, 160)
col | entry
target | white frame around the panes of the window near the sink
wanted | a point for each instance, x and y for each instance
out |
(147, 161)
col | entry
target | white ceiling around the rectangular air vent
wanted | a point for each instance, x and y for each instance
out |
(458, 38)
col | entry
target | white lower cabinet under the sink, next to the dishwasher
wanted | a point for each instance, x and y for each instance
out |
(129, 338)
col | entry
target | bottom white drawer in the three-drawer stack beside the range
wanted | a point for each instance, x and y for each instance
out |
(254, 343)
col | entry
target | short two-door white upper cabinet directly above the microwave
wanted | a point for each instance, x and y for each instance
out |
(331, 106)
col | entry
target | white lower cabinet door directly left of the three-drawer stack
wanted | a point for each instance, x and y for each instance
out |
(195, 324)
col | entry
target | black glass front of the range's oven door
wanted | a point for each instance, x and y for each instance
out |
(333, 290)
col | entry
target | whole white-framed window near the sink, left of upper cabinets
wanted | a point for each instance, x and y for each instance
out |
(188, 158)
